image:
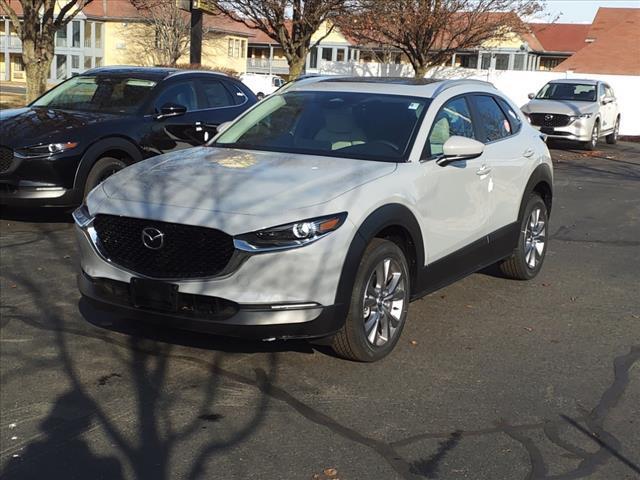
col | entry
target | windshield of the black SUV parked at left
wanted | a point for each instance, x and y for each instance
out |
(98, 94)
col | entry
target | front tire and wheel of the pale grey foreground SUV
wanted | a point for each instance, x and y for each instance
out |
(379, 304)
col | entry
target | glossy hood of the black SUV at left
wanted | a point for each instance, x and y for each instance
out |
(32, 125)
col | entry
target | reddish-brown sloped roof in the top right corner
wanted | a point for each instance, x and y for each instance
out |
(612, 44)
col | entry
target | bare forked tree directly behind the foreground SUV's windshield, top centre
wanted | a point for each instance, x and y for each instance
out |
(291, 23)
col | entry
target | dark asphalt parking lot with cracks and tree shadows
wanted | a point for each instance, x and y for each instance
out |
(492, 379)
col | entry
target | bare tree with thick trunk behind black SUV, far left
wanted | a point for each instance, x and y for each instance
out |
(41, 20)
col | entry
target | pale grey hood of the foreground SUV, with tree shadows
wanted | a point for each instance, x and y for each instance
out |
(239, 181)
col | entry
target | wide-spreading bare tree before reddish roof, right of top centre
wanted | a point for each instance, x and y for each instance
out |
(428, 32)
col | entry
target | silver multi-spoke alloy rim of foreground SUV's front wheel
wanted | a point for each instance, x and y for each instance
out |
(383, 302)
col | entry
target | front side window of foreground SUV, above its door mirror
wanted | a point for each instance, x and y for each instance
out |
(454, 118)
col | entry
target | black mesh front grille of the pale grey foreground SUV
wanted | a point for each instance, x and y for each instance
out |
(187, 251)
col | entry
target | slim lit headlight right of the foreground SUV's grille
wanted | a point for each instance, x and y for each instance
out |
(291, 235)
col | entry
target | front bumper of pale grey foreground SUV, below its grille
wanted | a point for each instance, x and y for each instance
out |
(284, 294)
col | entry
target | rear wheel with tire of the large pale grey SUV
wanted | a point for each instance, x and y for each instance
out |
(528, 256)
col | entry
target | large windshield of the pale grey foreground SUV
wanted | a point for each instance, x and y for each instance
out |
(339, 124)
